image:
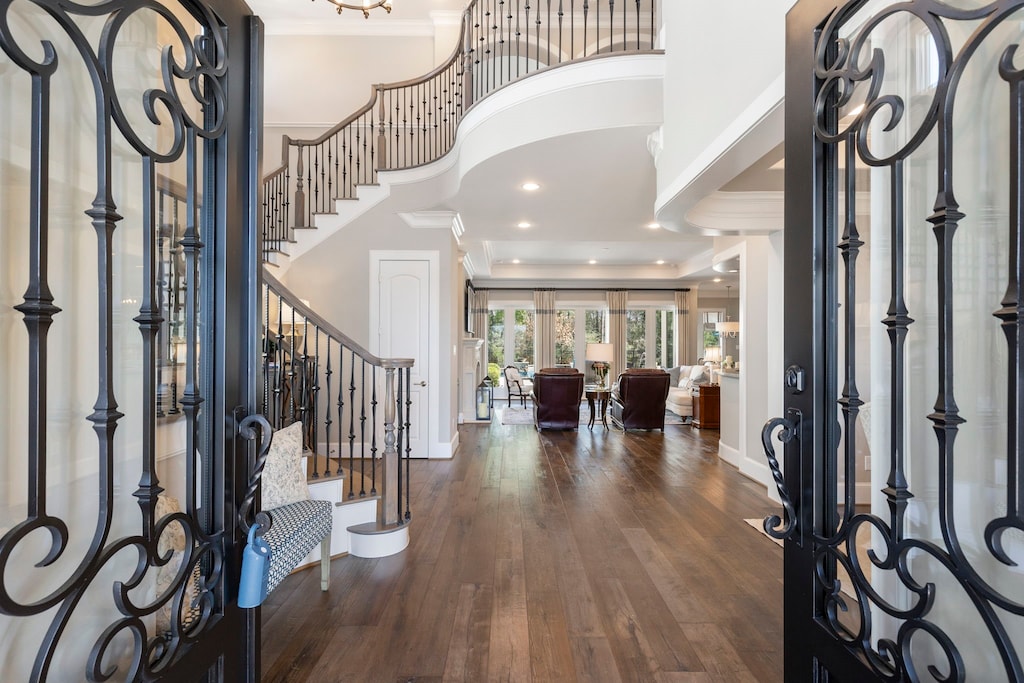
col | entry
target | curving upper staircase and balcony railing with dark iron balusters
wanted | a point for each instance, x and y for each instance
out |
(414, 122)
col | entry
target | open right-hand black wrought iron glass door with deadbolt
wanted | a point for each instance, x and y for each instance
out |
(904, 479)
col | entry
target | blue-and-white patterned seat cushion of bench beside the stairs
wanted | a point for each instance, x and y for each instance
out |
(297, 529)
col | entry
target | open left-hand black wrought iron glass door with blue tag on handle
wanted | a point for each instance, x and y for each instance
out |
(127, 337)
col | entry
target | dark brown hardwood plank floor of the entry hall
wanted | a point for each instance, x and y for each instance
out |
(560, 557)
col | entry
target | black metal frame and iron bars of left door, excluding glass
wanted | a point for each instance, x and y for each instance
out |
(225, 646)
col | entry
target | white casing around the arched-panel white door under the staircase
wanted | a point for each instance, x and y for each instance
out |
(434, 377)
